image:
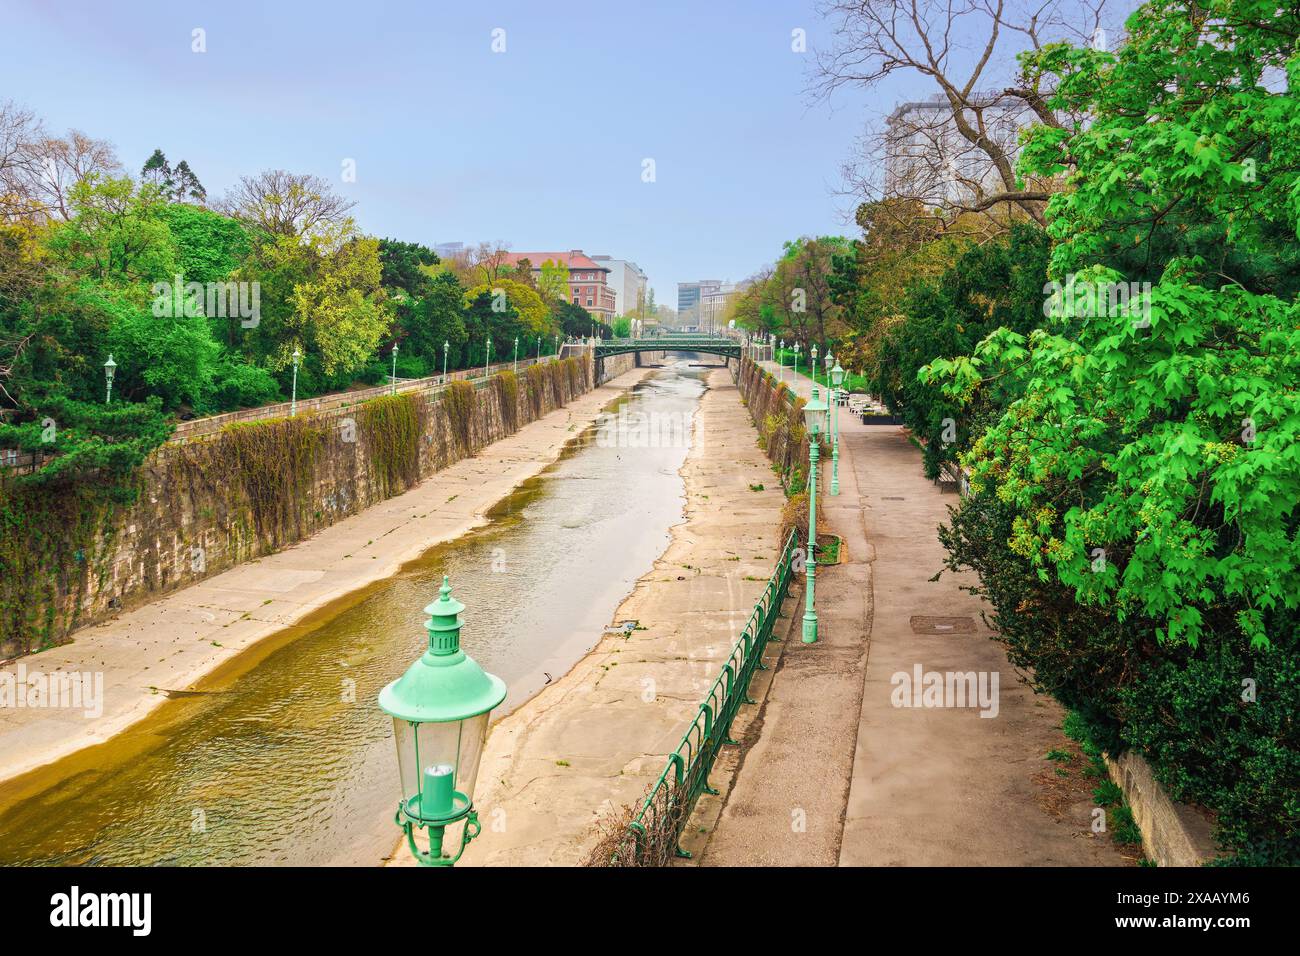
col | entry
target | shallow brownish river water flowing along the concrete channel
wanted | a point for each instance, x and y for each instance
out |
(284, 756)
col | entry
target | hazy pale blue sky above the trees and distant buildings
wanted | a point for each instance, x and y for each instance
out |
(541, 146)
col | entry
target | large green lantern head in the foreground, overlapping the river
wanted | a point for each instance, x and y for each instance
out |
(440, 720)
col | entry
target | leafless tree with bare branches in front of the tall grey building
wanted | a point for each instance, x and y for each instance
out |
(961, 148)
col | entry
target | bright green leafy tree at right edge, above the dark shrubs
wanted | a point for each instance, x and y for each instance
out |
(1165, 434)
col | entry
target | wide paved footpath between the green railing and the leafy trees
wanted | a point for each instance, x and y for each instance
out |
(842, 776)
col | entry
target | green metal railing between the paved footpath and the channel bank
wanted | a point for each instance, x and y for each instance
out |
(653, 837)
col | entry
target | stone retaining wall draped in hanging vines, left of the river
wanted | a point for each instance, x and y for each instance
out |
(252, 490)
